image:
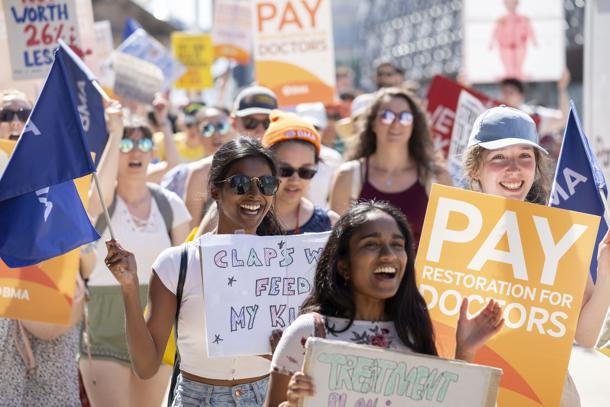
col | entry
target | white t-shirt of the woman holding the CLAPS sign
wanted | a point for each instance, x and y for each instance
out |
(191, 322)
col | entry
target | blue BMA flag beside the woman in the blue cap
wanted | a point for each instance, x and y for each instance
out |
(578, 180)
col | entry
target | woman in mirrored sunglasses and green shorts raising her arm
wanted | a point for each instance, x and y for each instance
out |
(147, 219)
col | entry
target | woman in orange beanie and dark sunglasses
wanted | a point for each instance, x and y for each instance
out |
(296, 145)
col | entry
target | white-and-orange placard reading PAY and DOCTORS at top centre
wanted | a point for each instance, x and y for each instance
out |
(293, 49)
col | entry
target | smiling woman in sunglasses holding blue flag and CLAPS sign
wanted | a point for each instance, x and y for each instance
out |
(243, 182)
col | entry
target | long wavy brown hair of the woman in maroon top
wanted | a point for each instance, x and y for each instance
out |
(421, 149)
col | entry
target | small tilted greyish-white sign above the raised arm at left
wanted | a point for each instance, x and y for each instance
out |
(136, 79)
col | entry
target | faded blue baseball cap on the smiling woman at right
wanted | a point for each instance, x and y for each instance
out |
(504, 126)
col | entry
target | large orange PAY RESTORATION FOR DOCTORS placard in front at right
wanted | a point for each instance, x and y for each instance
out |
(532, 258)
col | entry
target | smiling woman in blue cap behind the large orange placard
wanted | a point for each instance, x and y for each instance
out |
(504, 158)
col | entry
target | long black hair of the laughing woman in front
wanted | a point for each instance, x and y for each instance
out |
(332, 295)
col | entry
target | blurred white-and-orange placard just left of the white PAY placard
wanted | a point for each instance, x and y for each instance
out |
(232, 30)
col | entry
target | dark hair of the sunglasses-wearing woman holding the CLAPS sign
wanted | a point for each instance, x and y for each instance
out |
(224, 159)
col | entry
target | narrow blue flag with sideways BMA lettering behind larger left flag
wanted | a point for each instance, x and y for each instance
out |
(88, 100)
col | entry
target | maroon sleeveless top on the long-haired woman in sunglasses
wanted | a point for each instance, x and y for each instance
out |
(412, 202)
